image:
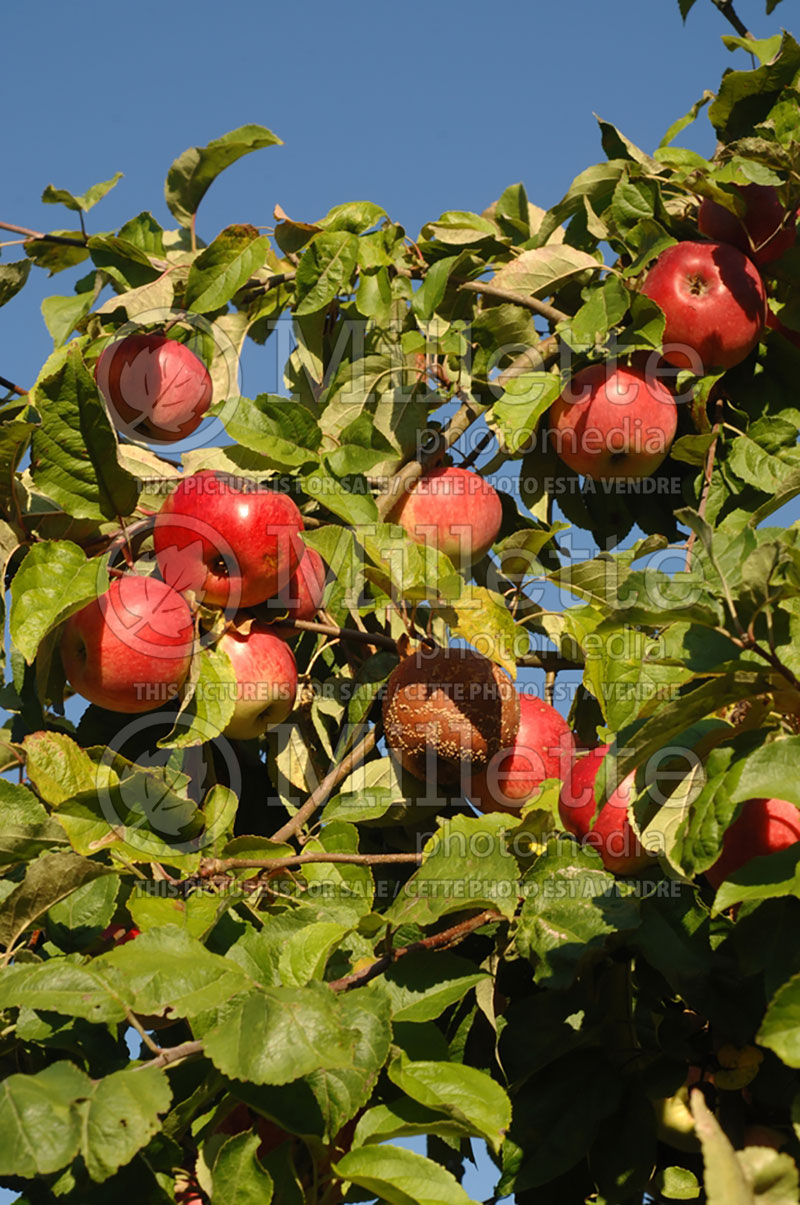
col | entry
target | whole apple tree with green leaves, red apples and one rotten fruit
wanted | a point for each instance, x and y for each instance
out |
(277, 897)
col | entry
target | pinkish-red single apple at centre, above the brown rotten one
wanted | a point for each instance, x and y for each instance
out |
(452, 510)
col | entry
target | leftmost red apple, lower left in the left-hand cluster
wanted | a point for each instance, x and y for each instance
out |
(131, 649)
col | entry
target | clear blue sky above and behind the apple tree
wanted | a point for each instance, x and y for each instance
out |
(420, 108)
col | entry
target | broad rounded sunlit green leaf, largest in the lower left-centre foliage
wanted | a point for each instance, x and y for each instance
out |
(279, 1034)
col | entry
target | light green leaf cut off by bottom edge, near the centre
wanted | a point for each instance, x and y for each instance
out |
(401, 1177)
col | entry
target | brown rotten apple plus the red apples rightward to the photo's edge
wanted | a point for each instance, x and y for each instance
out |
(451, 710)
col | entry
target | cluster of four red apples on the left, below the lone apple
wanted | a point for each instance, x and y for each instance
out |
(223, 543)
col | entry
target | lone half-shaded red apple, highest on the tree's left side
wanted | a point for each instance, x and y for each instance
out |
(156, 387)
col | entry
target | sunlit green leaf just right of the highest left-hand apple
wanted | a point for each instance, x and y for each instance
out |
(283, 431)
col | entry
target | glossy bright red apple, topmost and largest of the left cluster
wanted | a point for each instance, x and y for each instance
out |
(233, 542)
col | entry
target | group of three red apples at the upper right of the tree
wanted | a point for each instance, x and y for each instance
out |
(621, 422)
